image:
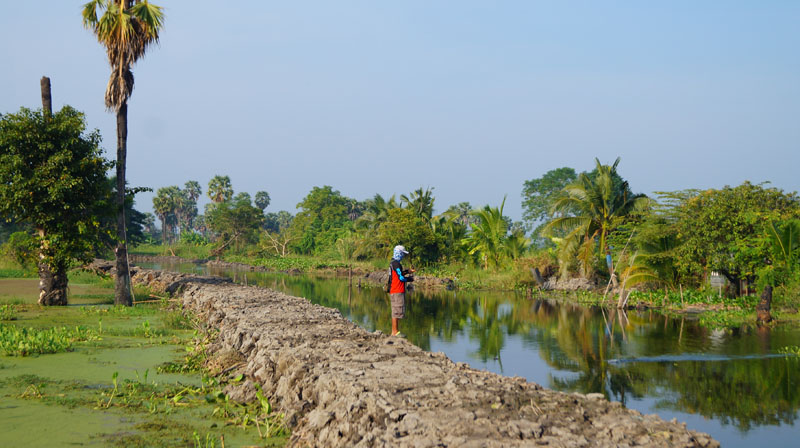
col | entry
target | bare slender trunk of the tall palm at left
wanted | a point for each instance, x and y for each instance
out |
(122, 286)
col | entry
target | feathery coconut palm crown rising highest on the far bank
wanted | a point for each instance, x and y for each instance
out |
(590, 207)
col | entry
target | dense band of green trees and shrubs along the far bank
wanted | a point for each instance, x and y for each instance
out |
(590, 225)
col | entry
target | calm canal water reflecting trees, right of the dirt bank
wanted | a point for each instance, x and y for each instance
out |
(732, 384)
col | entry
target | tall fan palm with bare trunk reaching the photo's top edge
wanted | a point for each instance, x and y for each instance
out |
(126, 28)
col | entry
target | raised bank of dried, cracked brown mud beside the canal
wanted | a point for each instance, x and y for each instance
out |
(340, 385)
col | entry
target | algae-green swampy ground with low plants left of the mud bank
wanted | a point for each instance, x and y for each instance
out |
(103, 365)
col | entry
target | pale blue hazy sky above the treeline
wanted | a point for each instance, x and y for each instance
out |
(470, 98)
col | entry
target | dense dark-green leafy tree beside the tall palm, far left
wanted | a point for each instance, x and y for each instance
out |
(52, 175)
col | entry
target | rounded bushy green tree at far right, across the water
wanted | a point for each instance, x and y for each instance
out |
(723, 230)
